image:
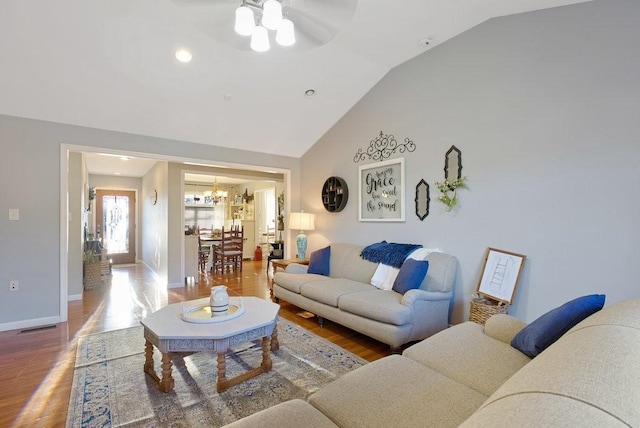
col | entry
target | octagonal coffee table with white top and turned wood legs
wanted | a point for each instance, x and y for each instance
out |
(166, 330)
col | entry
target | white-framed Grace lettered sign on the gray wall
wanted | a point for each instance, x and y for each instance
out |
(381, 191)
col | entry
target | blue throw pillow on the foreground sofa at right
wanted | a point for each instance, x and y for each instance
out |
(541, 333)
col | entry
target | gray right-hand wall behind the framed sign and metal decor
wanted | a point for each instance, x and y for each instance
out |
(544, 107)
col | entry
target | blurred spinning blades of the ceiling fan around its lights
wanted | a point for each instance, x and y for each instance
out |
(316, 21)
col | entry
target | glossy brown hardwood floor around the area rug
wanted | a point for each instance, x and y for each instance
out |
(36, 367)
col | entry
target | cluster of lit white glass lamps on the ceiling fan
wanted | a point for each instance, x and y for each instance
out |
(272, 19)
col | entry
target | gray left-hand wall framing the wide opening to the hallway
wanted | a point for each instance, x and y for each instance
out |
(30, 177)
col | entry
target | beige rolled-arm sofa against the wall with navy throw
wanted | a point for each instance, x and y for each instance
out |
(348, 298)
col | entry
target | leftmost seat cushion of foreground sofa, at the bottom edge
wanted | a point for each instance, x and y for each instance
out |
(294, 413)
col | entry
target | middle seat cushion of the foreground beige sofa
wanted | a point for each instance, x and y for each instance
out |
(396, 392)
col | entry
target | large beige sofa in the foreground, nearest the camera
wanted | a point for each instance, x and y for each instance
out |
(470, 376)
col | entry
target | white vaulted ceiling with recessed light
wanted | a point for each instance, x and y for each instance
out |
(111, 64)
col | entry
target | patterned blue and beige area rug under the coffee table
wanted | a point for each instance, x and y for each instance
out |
(110, 388)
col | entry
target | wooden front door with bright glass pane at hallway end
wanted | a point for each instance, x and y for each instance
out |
(115, 224)
